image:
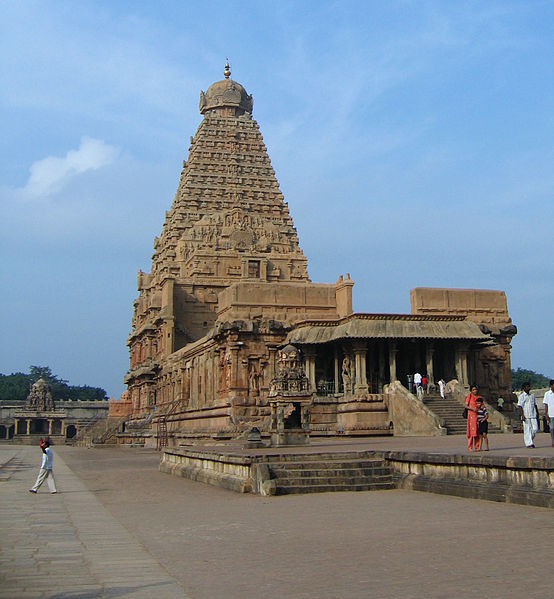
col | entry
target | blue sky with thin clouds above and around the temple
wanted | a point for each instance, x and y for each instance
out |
(413, 142)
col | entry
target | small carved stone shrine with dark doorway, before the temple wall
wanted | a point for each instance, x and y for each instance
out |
(290, 396)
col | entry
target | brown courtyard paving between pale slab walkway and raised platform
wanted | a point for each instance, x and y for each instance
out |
(378, 545)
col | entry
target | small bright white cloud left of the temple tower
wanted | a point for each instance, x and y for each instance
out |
(51, 174)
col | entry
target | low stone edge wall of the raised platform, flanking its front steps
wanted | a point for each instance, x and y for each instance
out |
(522, 480)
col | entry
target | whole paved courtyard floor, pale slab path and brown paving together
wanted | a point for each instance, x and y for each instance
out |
(120, 529)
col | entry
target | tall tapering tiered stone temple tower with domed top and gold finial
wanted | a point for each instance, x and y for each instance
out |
(228, 222)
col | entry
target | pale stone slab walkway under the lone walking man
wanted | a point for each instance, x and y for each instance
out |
(68, 545)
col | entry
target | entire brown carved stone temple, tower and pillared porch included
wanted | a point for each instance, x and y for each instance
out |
(229, 287)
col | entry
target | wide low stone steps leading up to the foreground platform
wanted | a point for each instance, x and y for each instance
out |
(312, 474)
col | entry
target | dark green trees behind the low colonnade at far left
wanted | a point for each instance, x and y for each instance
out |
(16, 386)
